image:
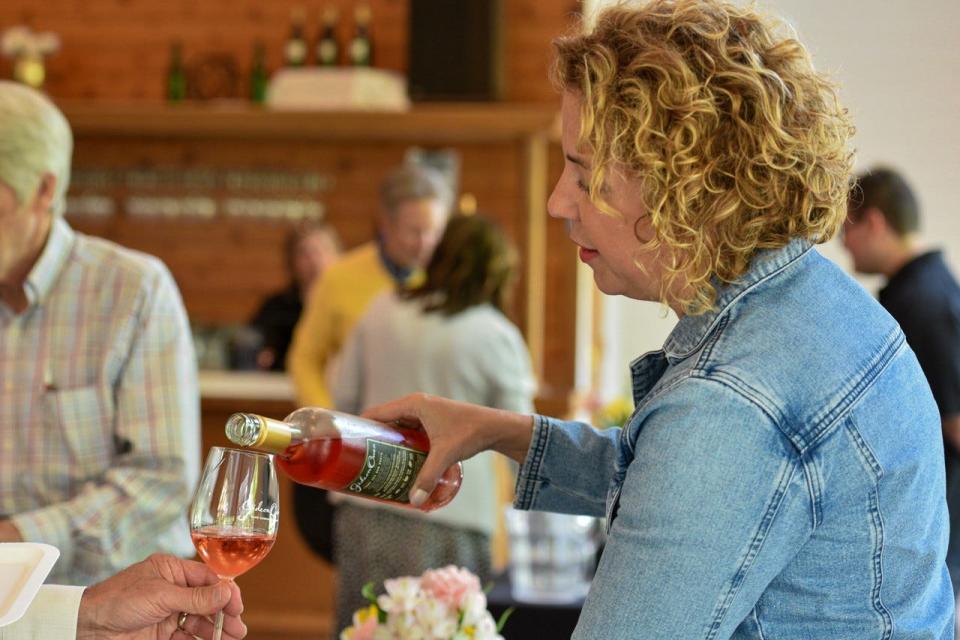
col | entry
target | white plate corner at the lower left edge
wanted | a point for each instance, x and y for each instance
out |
(23, 568)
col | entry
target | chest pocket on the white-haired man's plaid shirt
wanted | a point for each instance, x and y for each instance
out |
(82, 421)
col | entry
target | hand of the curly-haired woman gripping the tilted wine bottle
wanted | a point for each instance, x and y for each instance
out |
(457, 431)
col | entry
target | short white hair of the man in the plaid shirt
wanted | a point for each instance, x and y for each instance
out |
(35, 139)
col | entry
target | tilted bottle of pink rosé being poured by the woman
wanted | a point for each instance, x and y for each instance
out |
(345, 453)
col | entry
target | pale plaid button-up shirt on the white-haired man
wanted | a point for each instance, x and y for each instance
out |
(99, 411)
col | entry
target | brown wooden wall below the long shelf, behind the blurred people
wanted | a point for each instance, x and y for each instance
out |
(225, 266)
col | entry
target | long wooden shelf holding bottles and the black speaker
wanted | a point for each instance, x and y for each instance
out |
(429, 123)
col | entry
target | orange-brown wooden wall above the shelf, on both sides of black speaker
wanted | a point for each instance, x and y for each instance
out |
(120, 49)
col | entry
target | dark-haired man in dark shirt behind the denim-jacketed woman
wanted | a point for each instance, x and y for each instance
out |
(923, 296)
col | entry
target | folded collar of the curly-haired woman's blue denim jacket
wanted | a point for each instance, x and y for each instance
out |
(691, 331)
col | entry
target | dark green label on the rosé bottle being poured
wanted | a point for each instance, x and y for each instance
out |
(388, 471)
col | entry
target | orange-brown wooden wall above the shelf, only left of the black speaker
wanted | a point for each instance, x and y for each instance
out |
(120, 49)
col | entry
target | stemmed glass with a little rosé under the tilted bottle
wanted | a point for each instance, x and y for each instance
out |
(235, 513)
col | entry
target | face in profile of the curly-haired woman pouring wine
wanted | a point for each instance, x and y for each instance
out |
(609, 244)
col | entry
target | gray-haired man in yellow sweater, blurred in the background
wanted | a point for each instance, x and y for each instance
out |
(414, 206)
